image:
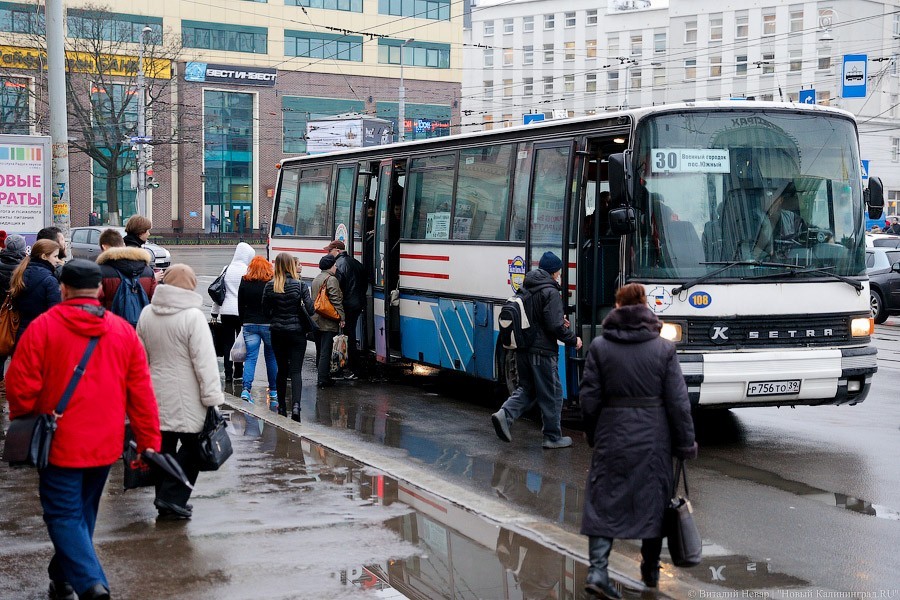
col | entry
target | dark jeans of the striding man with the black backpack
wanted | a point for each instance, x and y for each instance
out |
(538, 383)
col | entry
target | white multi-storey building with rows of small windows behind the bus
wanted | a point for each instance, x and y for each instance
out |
(534, 57)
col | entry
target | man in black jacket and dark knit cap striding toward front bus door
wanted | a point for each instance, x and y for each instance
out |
(538, 364)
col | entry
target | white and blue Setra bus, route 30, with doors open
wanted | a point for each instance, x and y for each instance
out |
(744, 221)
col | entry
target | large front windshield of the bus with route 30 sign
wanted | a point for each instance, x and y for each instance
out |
(754, 186)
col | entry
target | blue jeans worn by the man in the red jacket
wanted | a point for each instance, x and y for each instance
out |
(70, 498)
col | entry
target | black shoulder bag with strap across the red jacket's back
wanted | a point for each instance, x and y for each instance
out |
(28, 438)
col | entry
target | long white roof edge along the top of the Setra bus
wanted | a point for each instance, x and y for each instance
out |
(634, 114)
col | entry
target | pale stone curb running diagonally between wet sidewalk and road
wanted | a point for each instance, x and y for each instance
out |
(486, 507)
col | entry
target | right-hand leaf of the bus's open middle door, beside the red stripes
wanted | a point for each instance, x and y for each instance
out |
(386, 258)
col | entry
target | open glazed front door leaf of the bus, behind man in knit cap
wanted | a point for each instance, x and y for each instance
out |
(550, 191)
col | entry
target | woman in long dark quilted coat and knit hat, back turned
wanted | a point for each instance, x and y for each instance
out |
(632, 375)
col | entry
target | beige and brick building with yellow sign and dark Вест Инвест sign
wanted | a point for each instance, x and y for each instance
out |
(245, 79)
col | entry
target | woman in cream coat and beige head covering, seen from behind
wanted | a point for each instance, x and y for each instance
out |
(185, 376)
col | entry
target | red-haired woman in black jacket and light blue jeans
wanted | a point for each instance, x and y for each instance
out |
(255, 325)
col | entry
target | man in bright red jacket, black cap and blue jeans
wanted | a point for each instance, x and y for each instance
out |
(91, 431)
